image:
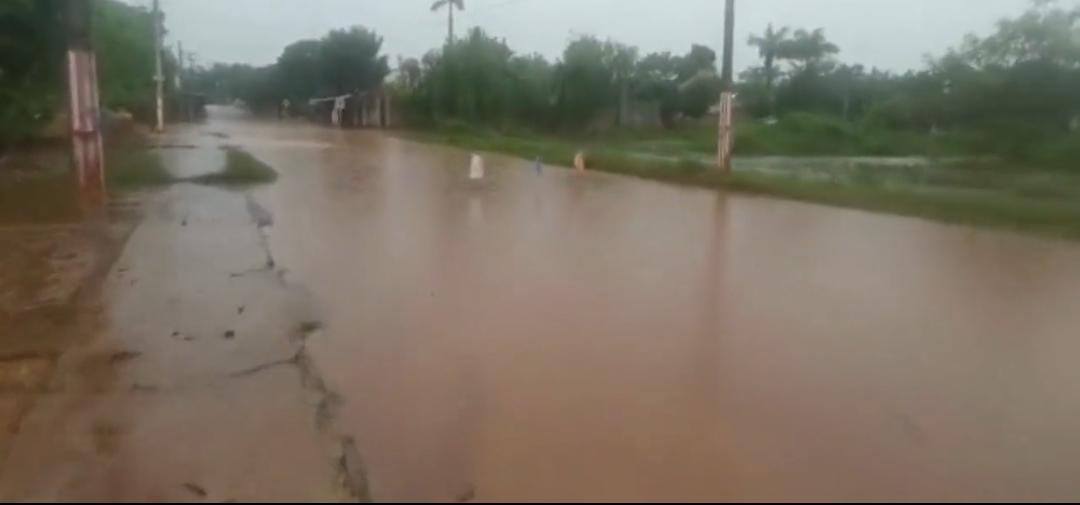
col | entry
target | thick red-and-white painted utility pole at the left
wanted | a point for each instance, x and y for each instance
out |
(88, 156)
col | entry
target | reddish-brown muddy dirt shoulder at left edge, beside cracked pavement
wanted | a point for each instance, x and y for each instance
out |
(50, 279)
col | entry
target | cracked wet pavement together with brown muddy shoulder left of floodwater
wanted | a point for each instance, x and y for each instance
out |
(166, 361)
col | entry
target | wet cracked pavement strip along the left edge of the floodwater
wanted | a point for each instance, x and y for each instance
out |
(180, 391)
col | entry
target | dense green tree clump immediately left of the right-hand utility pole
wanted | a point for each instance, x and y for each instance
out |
(480, 79)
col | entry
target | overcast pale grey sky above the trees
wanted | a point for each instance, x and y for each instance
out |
(893, 35)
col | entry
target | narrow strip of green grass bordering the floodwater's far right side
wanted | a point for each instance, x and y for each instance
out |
(928, 199)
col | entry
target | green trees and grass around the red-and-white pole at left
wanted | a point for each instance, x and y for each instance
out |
(33, 91)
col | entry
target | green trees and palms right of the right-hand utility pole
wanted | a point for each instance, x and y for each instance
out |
(1015, 92)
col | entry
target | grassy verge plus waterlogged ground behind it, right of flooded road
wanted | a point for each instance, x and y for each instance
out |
(961, 190)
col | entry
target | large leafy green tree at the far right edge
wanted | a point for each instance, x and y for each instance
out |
(1019, 87)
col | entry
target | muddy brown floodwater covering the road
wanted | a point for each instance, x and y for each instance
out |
(585, 336)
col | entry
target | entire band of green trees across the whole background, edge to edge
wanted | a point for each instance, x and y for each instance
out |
(1014, 92)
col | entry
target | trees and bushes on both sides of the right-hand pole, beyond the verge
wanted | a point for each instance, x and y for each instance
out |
(1014, 94)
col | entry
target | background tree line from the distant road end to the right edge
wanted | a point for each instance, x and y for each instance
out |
(1014, 92)
